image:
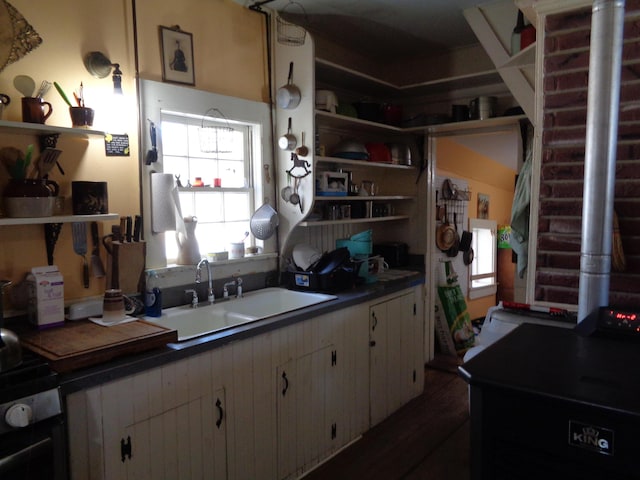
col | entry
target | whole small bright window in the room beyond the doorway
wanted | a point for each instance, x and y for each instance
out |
(483, 274)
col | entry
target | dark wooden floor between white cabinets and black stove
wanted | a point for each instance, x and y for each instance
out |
(426, 439)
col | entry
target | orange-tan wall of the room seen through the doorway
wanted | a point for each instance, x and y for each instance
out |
(484, 175)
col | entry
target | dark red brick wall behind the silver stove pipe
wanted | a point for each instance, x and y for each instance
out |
(566, 53)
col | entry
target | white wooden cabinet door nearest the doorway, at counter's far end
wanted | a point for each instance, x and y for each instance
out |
(396, 361)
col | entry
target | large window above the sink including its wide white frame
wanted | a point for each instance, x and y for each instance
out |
(244, 165)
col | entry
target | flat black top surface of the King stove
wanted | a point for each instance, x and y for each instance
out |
(558, 363)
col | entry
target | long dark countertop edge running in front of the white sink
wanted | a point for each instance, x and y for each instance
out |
(123, 366)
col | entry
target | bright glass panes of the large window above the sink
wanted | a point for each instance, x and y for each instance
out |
(220, 155)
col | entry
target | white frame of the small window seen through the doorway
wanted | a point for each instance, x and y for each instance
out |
(490, 250)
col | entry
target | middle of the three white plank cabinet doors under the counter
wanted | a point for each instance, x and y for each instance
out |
(306, 410)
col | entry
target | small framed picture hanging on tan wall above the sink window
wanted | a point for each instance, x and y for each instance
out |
(176, 48)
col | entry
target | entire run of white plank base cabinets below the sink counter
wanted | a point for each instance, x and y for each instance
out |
(269, 407)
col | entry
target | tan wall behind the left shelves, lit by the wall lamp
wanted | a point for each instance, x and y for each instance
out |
(229, 50)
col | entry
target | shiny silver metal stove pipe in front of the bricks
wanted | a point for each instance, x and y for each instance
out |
(600, 154)
